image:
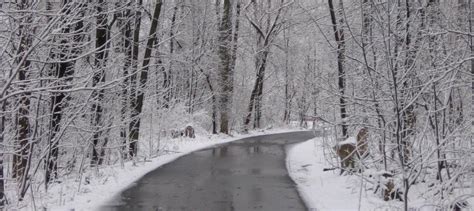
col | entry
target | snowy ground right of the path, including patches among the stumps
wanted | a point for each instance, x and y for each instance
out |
(328, 190)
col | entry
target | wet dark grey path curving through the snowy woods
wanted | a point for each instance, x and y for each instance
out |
(249, 174)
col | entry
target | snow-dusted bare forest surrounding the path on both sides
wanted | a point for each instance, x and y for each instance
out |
(97, 83)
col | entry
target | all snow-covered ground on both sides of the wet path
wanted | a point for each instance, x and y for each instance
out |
(320, 190)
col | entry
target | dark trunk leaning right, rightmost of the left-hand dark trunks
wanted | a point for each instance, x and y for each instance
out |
(135, 130)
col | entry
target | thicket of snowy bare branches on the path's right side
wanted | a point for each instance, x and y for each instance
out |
(405, 72)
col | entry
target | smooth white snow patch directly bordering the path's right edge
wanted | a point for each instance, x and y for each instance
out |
(327, 190)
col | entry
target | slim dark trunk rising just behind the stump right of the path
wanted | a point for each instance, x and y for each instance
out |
(339, 37)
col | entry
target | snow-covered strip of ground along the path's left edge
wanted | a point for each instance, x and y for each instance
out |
(107, 182)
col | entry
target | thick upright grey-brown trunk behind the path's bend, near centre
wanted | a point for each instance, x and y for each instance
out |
(225, 71)
